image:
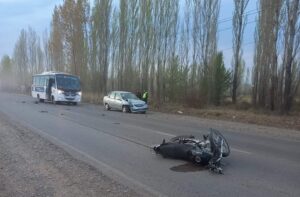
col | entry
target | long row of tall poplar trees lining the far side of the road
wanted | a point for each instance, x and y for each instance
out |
(167, 47)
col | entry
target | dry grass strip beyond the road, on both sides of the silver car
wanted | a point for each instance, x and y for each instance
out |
(241, 112)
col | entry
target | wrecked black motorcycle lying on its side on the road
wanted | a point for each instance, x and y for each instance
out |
(208, 151)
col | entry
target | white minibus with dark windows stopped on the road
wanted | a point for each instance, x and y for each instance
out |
(56, 87)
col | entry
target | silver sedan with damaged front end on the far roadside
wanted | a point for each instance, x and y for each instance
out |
(125, 101)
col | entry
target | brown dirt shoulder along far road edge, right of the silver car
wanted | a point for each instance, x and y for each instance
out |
(250, 116)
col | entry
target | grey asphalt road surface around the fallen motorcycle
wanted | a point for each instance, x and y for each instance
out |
(264, 161)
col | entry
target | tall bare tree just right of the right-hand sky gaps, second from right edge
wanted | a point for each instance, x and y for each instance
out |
(265, 68)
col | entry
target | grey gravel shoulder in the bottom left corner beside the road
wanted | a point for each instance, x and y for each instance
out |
(33, 166)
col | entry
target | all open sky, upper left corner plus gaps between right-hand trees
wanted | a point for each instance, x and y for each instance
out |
(18, 14)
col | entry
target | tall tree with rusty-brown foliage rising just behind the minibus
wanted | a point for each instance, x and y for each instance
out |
(74, 36)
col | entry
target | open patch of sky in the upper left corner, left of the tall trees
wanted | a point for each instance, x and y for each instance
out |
(18, 14)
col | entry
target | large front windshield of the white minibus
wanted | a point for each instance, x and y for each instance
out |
(68, 82)
